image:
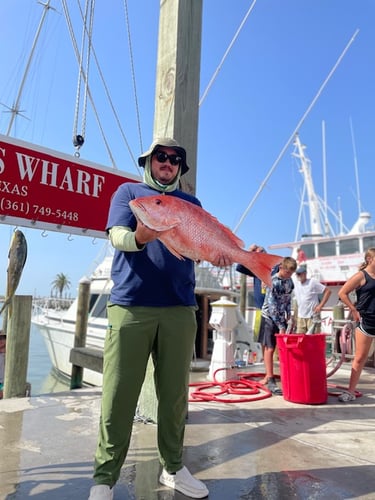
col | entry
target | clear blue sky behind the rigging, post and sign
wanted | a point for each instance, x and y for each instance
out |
(282, 56)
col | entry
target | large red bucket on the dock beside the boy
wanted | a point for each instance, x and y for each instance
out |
(303, 367)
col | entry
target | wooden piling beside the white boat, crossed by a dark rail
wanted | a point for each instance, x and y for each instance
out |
(81, 329)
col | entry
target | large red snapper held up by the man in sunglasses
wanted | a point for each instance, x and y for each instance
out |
(187, 230)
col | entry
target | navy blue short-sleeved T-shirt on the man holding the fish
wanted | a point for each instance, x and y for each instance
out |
(153, 276)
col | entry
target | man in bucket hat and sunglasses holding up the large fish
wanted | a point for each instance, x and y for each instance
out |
(151, 312)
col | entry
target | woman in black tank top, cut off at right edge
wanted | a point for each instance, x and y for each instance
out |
(363, 312)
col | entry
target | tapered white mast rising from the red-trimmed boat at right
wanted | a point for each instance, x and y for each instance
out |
(313, 202)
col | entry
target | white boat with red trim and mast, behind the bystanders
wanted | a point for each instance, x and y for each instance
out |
(330, 257)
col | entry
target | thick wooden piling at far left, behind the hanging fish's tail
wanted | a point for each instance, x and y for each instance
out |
(17, 348)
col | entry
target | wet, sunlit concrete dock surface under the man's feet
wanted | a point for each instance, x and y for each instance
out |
(264, 449)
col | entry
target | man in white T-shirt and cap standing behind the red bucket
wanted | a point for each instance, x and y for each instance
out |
(307, 292)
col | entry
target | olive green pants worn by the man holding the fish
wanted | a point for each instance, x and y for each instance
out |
(133, 333)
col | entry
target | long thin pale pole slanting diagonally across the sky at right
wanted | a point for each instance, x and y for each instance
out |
(282, 152)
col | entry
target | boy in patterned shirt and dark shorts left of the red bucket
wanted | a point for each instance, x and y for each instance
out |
(276, 312)
